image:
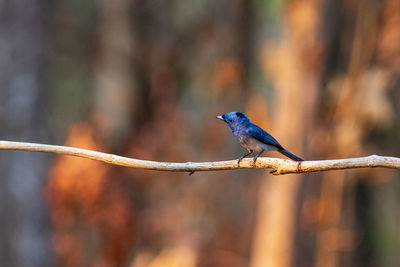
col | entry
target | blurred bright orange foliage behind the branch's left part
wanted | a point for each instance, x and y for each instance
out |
(82, 196)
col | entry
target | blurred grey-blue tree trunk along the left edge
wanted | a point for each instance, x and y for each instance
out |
(24, 236)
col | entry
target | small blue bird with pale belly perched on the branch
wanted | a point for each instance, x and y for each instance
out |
(252, 137)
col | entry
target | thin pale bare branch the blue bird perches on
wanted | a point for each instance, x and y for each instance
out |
(279, 166)
